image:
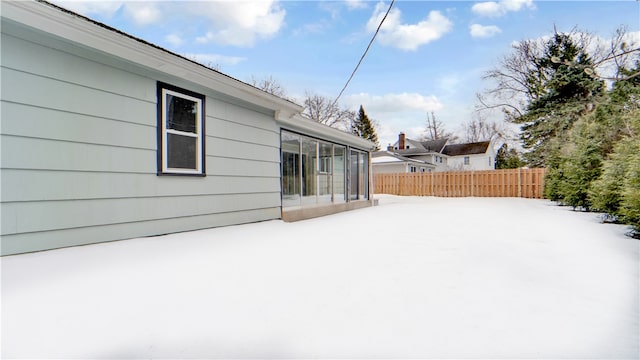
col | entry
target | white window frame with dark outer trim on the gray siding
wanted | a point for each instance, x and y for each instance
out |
(198, 135)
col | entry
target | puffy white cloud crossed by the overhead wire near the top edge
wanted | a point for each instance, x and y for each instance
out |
(407, 36)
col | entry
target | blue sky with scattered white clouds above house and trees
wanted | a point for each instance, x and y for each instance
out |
(429, 55)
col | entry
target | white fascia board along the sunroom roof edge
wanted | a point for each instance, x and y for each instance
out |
(297, 122)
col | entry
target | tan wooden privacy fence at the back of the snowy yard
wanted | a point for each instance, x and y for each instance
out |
(526, 183)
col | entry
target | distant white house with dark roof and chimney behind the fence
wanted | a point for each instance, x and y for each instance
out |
(445, 156)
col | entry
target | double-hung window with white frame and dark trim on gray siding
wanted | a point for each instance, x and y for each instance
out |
(180, 131)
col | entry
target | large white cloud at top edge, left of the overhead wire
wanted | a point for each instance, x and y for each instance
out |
(239, 23)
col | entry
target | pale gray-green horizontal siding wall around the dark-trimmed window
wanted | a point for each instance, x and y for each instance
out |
(78, 153)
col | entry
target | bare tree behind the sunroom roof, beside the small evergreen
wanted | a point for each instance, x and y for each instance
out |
(323, 110)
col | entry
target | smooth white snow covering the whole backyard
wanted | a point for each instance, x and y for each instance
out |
(412, 278)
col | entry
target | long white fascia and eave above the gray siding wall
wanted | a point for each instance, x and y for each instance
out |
(79, 30)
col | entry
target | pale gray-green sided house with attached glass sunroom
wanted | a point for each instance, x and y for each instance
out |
(106, 137)
